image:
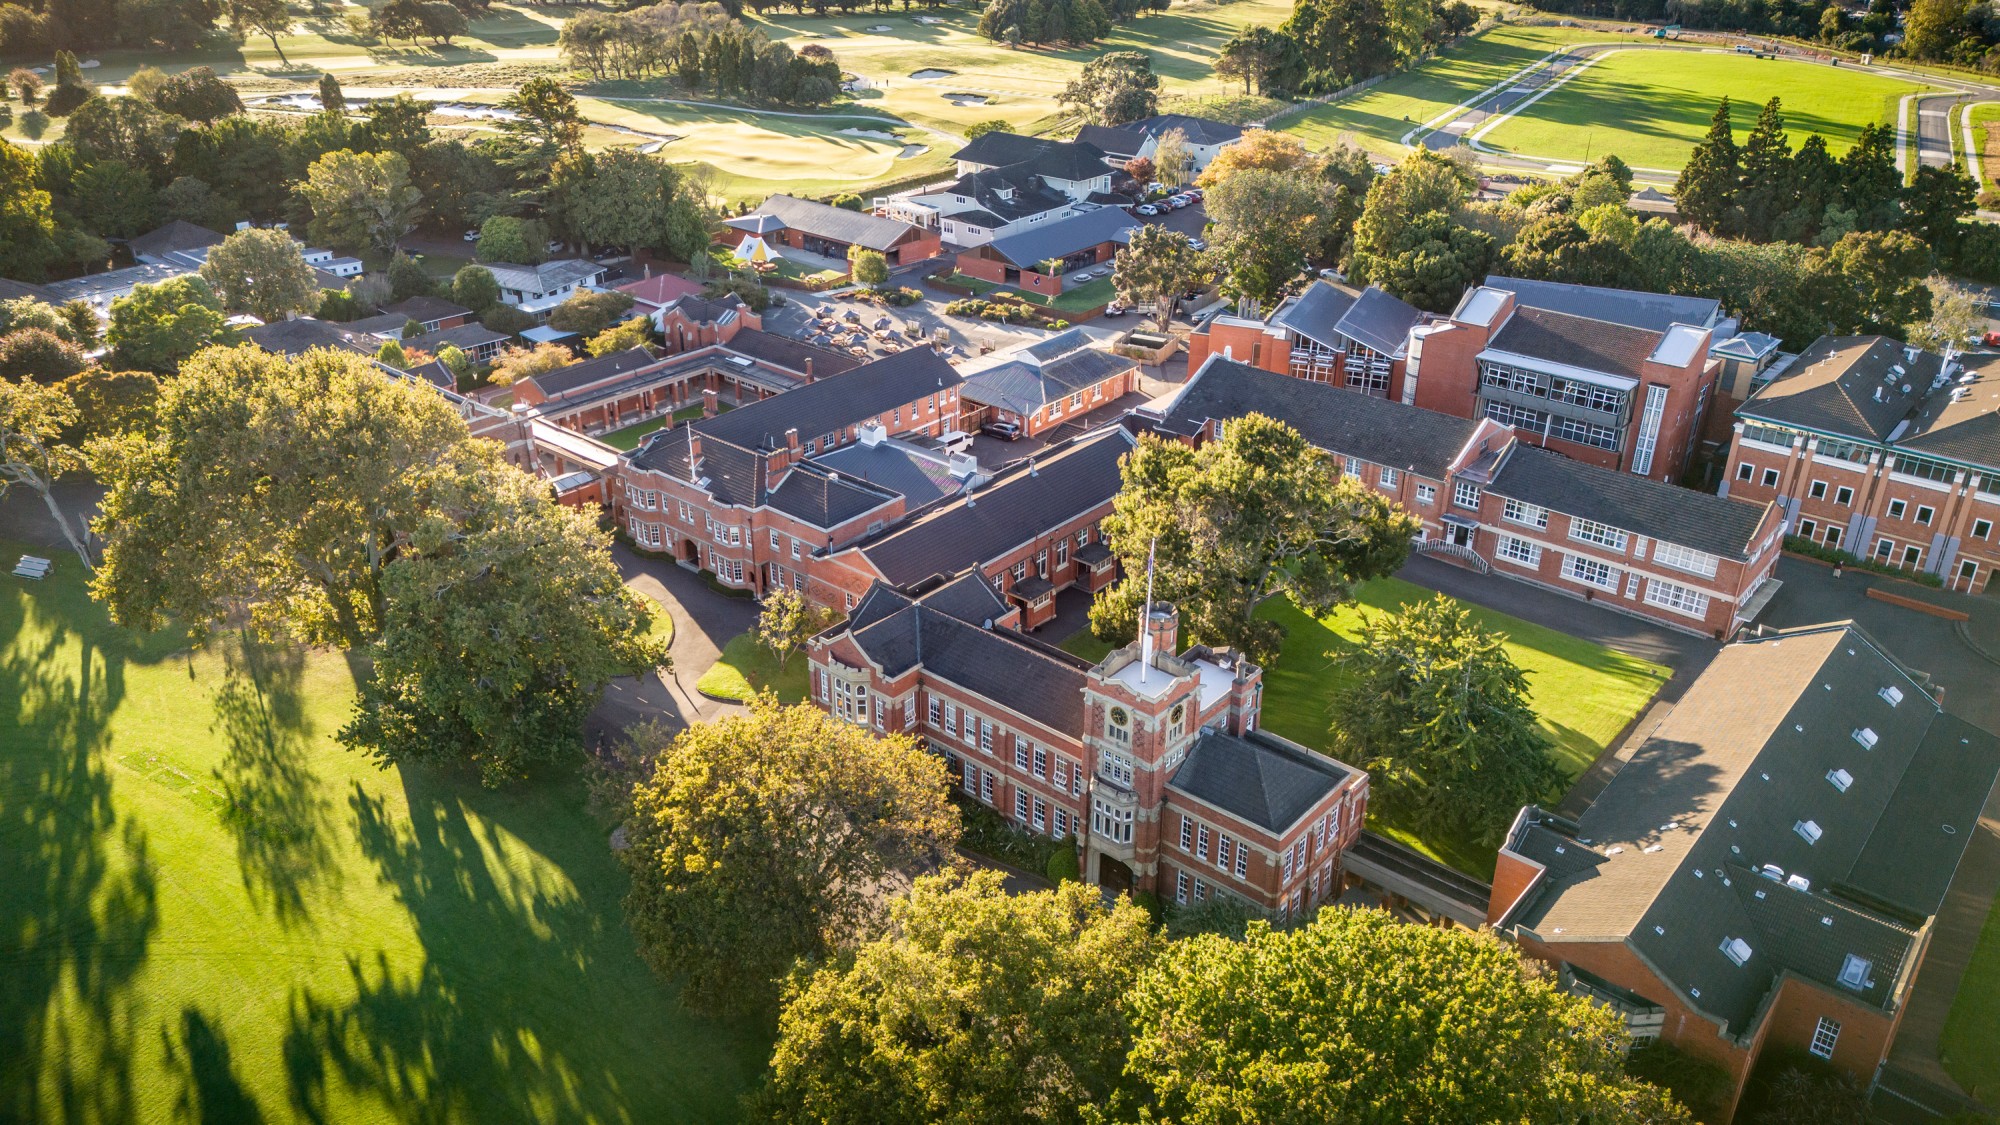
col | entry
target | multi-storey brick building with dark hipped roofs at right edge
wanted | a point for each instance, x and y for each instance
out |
(1883, 451)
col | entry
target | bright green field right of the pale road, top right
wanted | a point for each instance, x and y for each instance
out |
(1653, 107)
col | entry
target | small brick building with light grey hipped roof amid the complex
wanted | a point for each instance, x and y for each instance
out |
(1045, 383)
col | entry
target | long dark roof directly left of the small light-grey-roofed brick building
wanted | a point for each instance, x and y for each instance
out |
(835, 403)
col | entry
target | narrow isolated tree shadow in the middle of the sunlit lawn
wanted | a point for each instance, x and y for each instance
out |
(273, 802)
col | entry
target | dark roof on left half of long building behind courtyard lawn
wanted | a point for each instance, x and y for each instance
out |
(1331, 417)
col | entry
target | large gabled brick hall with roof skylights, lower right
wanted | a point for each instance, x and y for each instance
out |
(1769, 866)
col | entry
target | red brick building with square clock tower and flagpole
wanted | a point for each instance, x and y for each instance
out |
(1151, 762)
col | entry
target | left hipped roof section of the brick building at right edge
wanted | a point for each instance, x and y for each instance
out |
(1847, 387)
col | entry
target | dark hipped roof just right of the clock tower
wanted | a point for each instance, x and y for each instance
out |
(1257, 778)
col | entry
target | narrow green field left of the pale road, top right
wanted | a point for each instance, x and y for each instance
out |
(1381, 117)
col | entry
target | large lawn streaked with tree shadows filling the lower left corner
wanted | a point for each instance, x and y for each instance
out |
(211, 912)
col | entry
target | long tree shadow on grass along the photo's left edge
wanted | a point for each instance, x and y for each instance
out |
(77, 884)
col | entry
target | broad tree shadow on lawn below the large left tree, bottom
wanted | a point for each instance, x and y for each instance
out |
(529, 1002)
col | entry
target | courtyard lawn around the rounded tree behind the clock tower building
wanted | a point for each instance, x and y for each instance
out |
(1585, 696)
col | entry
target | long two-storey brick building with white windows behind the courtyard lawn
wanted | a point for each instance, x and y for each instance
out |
(1497, 503)
